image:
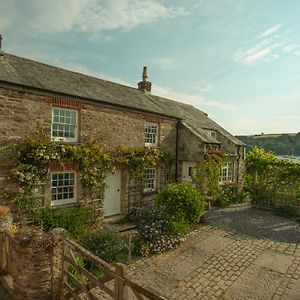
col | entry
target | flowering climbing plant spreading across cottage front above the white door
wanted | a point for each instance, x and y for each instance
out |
(34, 156)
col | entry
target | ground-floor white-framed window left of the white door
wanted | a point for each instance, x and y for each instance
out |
(63, 188)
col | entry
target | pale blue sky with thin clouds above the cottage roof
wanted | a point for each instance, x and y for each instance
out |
(237, 60)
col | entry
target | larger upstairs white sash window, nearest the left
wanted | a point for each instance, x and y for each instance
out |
(64, 124)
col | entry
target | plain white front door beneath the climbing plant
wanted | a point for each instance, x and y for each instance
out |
(112, 196)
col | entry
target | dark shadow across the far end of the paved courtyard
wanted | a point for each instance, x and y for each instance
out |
(256, 223)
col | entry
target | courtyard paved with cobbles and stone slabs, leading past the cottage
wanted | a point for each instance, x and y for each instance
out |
(240, 253)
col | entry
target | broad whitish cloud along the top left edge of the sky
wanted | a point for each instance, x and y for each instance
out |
(91, 16)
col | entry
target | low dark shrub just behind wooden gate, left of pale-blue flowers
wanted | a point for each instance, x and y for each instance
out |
(106, 245)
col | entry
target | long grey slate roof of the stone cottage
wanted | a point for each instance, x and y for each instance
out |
(26, 72)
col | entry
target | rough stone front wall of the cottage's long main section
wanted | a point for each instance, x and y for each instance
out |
(22, 108)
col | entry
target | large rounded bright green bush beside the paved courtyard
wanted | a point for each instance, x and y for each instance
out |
(182, 203)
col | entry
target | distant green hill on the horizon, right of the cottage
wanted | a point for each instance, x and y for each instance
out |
(280, 144)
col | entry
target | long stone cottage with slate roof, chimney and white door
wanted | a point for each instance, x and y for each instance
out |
(72, 106)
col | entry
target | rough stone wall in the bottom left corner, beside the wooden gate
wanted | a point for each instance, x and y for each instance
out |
(32, 268)
